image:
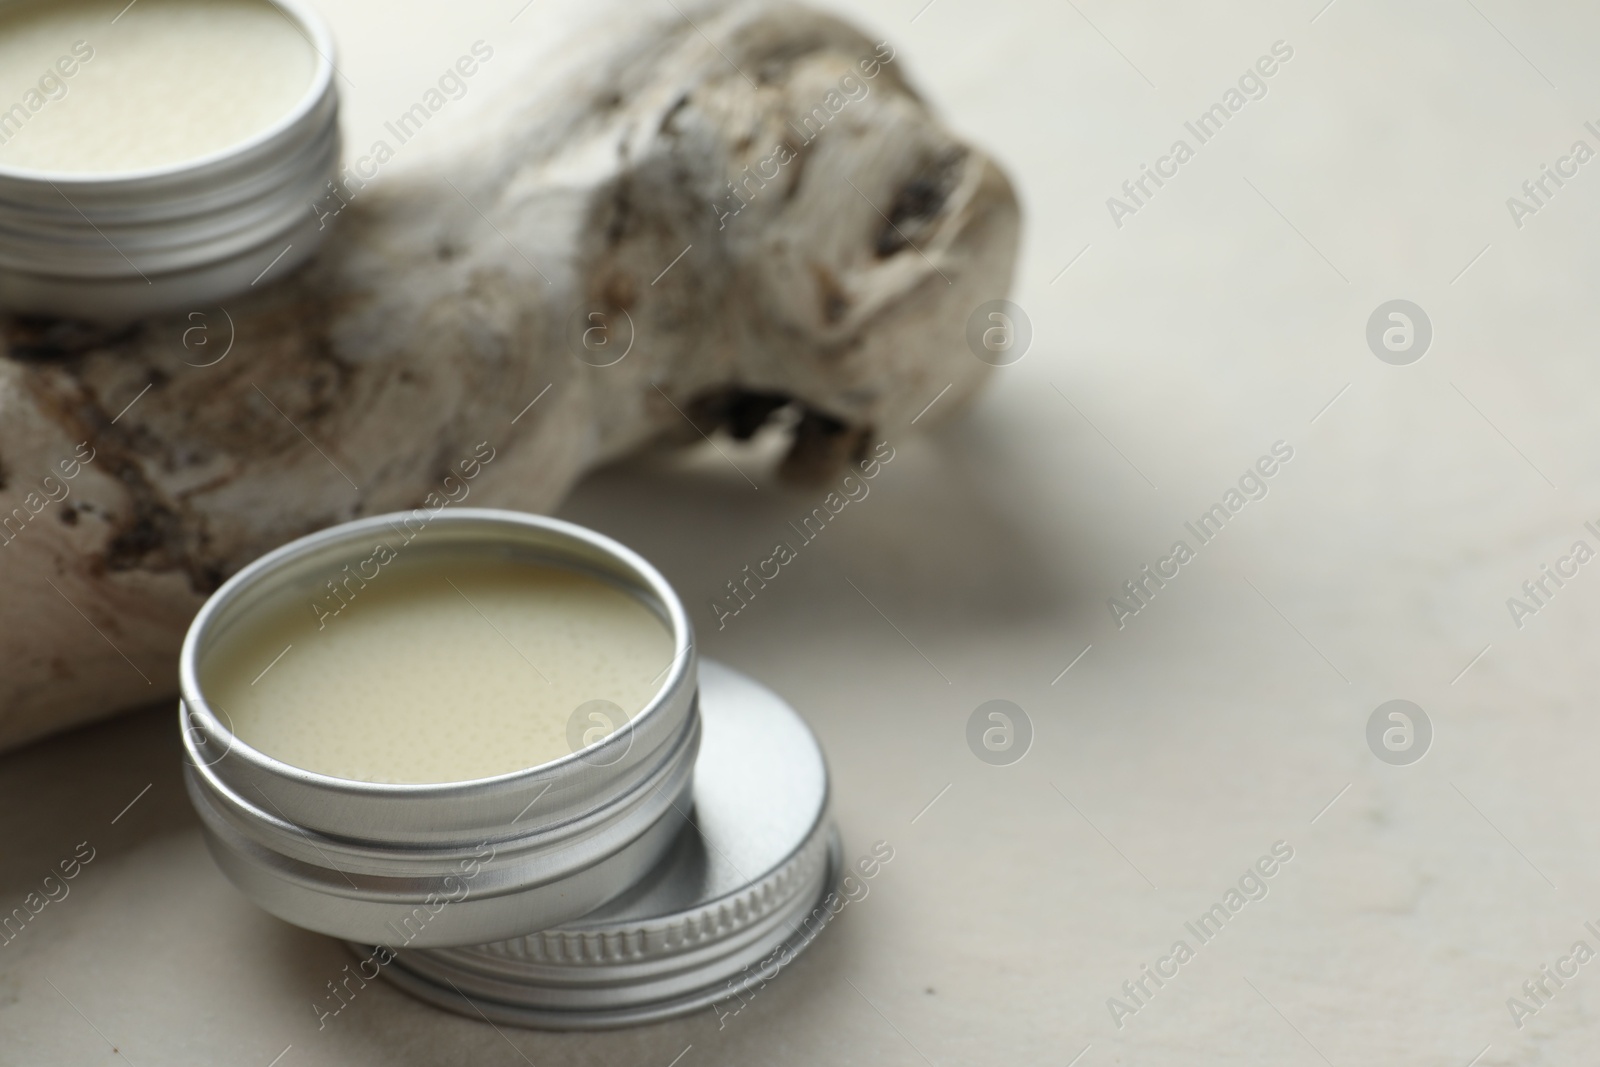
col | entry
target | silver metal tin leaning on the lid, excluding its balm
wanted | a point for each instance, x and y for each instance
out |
(457, 863)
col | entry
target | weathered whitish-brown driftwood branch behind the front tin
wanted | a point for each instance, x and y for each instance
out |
(759, 212)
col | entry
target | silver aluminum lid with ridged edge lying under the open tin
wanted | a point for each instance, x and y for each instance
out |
(738, 897)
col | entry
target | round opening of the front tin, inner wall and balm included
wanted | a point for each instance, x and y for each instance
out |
(457, 658)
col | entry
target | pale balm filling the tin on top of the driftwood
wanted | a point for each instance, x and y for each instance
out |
(102, 87)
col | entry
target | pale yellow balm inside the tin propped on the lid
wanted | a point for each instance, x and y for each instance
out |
(439, 673)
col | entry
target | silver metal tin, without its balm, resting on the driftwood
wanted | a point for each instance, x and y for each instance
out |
(182, 238)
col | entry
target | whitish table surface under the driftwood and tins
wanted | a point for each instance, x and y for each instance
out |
(1225, 717)
